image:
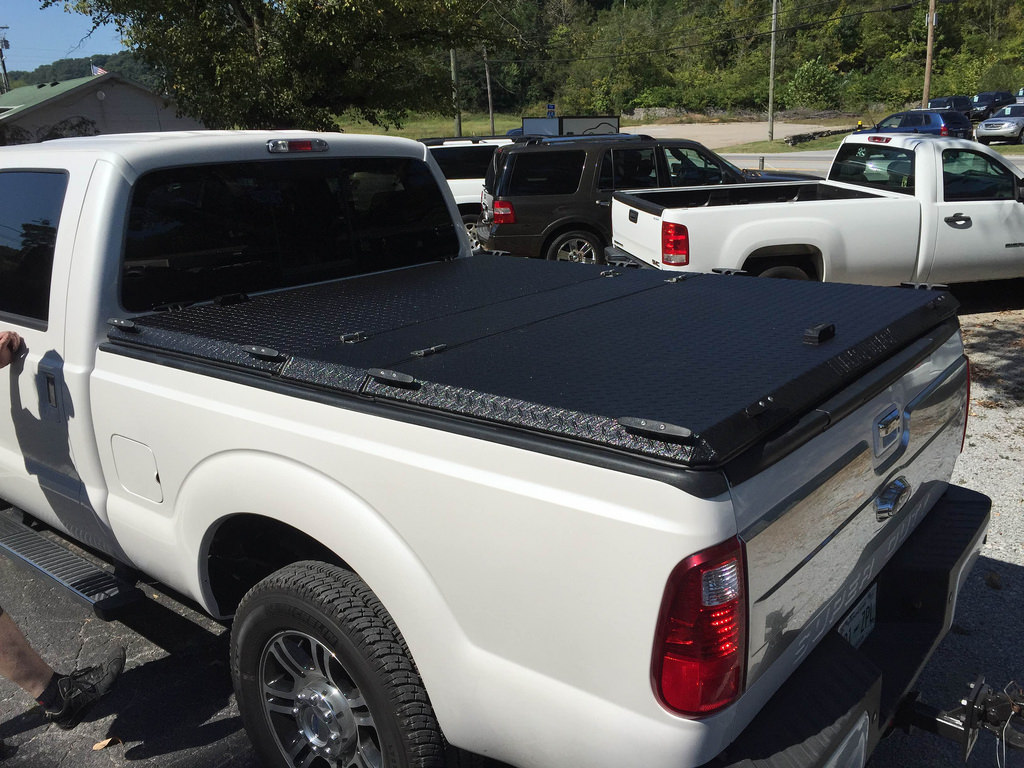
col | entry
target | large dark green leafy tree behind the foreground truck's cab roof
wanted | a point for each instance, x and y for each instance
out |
(285, 64)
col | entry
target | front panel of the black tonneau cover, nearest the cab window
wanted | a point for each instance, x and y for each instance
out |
(303, 323)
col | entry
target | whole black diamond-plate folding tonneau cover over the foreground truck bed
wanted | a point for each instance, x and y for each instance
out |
(693, 369)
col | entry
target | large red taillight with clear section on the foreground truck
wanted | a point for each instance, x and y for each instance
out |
(701, 646)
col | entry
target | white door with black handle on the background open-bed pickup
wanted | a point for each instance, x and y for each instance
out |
(979, 226)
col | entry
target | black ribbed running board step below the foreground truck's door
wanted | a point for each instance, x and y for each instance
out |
(106, 592)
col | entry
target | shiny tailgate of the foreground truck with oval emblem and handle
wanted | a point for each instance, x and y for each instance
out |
(821, 524)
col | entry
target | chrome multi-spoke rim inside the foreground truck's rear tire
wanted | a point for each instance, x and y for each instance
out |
(316, 710)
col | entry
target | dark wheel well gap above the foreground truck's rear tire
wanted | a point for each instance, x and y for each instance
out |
(246, 549)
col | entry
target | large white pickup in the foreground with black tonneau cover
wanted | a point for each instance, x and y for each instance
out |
(448, 519)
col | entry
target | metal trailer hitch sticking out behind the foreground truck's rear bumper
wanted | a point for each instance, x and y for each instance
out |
(984, 708)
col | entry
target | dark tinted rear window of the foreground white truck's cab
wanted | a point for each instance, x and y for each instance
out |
(201, 232)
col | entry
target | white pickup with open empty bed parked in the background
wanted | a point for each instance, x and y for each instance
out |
(895, 208)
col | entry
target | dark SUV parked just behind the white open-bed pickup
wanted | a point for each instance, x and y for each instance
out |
(551, 197)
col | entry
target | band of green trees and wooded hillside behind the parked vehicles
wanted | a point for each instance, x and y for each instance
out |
(302, 63)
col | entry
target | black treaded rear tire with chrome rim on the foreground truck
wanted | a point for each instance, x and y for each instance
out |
(324, 678)
